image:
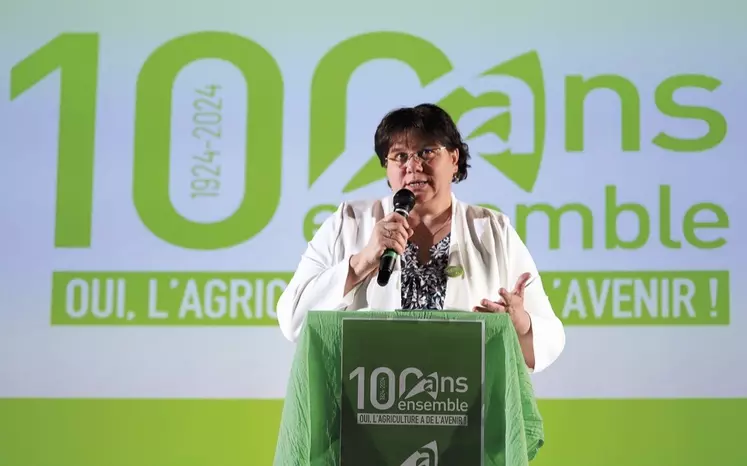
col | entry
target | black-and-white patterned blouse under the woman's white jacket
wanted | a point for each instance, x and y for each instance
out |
(424, 285)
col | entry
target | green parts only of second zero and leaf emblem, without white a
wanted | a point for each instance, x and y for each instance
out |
(329, 103)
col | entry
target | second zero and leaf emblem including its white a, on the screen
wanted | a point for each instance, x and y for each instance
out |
(513, 149)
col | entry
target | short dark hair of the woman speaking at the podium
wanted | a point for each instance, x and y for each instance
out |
(427, 122)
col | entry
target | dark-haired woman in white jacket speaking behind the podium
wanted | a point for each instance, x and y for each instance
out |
(454, 256)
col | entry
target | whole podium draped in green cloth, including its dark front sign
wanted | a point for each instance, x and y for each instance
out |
(408, 388)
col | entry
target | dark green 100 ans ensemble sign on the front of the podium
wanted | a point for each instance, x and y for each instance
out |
(412, 392)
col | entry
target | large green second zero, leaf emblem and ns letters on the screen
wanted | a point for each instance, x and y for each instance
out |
(428, 62)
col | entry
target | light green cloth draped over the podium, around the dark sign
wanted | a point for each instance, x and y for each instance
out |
(310, 427)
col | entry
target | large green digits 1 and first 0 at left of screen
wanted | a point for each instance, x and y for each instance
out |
(77, 57)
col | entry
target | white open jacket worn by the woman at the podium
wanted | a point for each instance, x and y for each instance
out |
(483, 244)
